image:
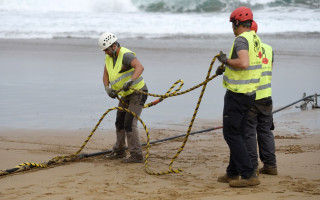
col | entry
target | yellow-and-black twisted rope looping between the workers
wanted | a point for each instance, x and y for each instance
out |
(62, 159)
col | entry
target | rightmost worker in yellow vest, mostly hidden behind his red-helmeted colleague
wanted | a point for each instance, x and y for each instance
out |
(260, 118)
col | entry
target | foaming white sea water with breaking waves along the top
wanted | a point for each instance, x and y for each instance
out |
(149, 18)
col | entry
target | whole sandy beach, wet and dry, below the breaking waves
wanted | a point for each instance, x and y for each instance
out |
(52, 96)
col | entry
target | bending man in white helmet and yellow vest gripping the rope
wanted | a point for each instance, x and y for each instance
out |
(123, 70)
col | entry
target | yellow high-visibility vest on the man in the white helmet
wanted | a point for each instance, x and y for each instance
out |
(117, 79)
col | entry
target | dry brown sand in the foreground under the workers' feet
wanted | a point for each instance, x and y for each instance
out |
(204, 157)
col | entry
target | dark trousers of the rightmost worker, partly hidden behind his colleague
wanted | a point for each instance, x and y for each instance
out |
(259, 124)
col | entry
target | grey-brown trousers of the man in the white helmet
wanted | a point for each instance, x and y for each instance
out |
(126, 123)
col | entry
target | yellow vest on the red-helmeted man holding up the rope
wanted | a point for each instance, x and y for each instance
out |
(245, 80)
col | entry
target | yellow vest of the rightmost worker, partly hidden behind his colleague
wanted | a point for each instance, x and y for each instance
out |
(264, 88)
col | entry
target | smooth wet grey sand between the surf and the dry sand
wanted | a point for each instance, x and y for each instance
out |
(57, 83)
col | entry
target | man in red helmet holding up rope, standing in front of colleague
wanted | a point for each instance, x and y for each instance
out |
(242, 71)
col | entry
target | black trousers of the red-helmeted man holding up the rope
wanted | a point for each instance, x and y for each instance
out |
(235, 111)
